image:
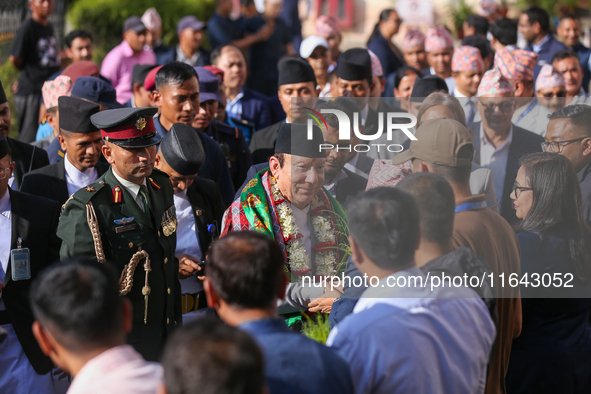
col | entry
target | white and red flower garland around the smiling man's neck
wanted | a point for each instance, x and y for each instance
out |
(325, 256)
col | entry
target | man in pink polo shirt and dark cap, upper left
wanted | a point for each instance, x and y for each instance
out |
(118, 64)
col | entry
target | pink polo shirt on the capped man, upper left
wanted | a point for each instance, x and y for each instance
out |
(118, 67)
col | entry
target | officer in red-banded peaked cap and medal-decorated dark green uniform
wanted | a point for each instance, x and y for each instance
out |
(132, 216)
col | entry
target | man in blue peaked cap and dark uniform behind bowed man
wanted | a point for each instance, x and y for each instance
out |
(230, 138)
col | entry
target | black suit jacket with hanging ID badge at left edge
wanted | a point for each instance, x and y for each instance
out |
(34, 220)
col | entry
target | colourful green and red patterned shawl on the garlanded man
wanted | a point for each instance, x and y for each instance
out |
(252, 211)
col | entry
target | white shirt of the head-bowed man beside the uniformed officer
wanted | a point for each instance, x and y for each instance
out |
(187, 240)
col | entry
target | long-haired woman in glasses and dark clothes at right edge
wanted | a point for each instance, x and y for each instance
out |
(553, 352)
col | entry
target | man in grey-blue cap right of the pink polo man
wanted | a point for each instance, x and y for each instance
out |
(190, 49)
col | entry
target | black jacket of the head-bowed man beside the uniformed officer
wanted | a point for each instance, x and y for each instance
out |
(208, 208)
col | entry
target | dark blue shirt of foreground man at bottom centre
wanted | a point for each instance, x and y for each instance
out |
(296, 364)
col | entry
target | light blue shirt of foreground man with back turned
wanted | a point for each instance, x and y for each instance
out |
(412, 340)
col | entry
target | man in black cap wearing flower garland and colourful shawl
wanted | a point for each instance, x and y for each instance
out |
(288, 203)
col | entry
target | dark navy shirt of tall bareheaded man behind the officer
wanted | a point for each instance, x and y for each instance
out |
(215, 166)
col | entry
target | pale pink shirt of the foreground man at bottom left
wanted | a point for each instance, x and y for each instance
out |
(118, 370)
